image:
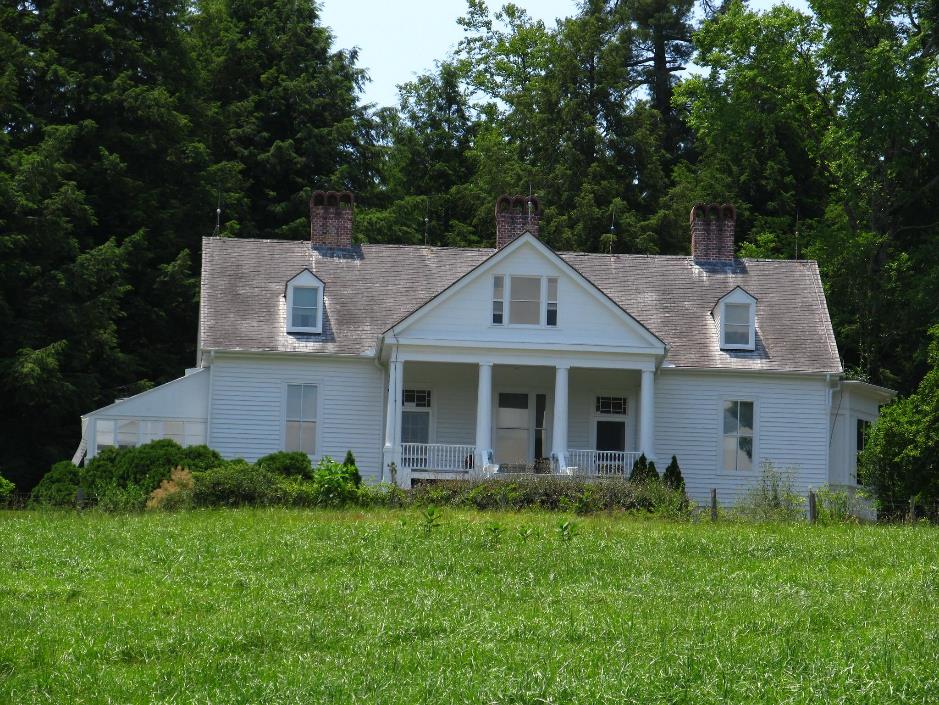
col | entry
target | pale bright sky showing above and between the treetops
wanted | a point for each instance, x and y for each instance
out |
(399, 39)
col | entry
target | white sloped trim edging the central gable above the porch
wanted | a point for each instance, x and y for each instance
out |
(527, 239)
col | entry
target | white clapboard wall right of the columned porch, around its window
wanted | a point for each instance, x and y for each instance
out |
(791, 428)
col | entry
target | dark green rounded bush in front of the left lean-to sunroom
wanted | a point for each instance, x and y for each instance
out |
(145, 466)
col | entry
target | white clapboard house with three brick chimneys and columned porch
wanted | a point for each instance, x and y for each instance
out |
(456, 362)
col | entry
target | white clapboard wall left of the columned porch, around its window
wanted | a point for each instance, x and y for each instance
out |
(248, 406)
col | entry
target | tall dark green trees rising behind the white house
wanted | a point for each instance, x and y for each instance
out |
(126, 125)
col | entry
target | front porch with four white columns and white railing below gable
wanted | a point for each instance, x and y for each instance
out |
(462, 420)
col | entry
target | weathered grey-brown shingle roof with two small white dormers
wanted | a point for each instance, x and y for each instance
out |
(373, 286)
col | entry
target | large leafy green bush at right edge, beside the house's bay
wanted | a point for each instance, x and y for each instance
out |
(901, 456)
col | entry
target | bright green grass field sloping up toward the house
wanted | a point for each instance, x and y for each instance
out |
(313, 607)
